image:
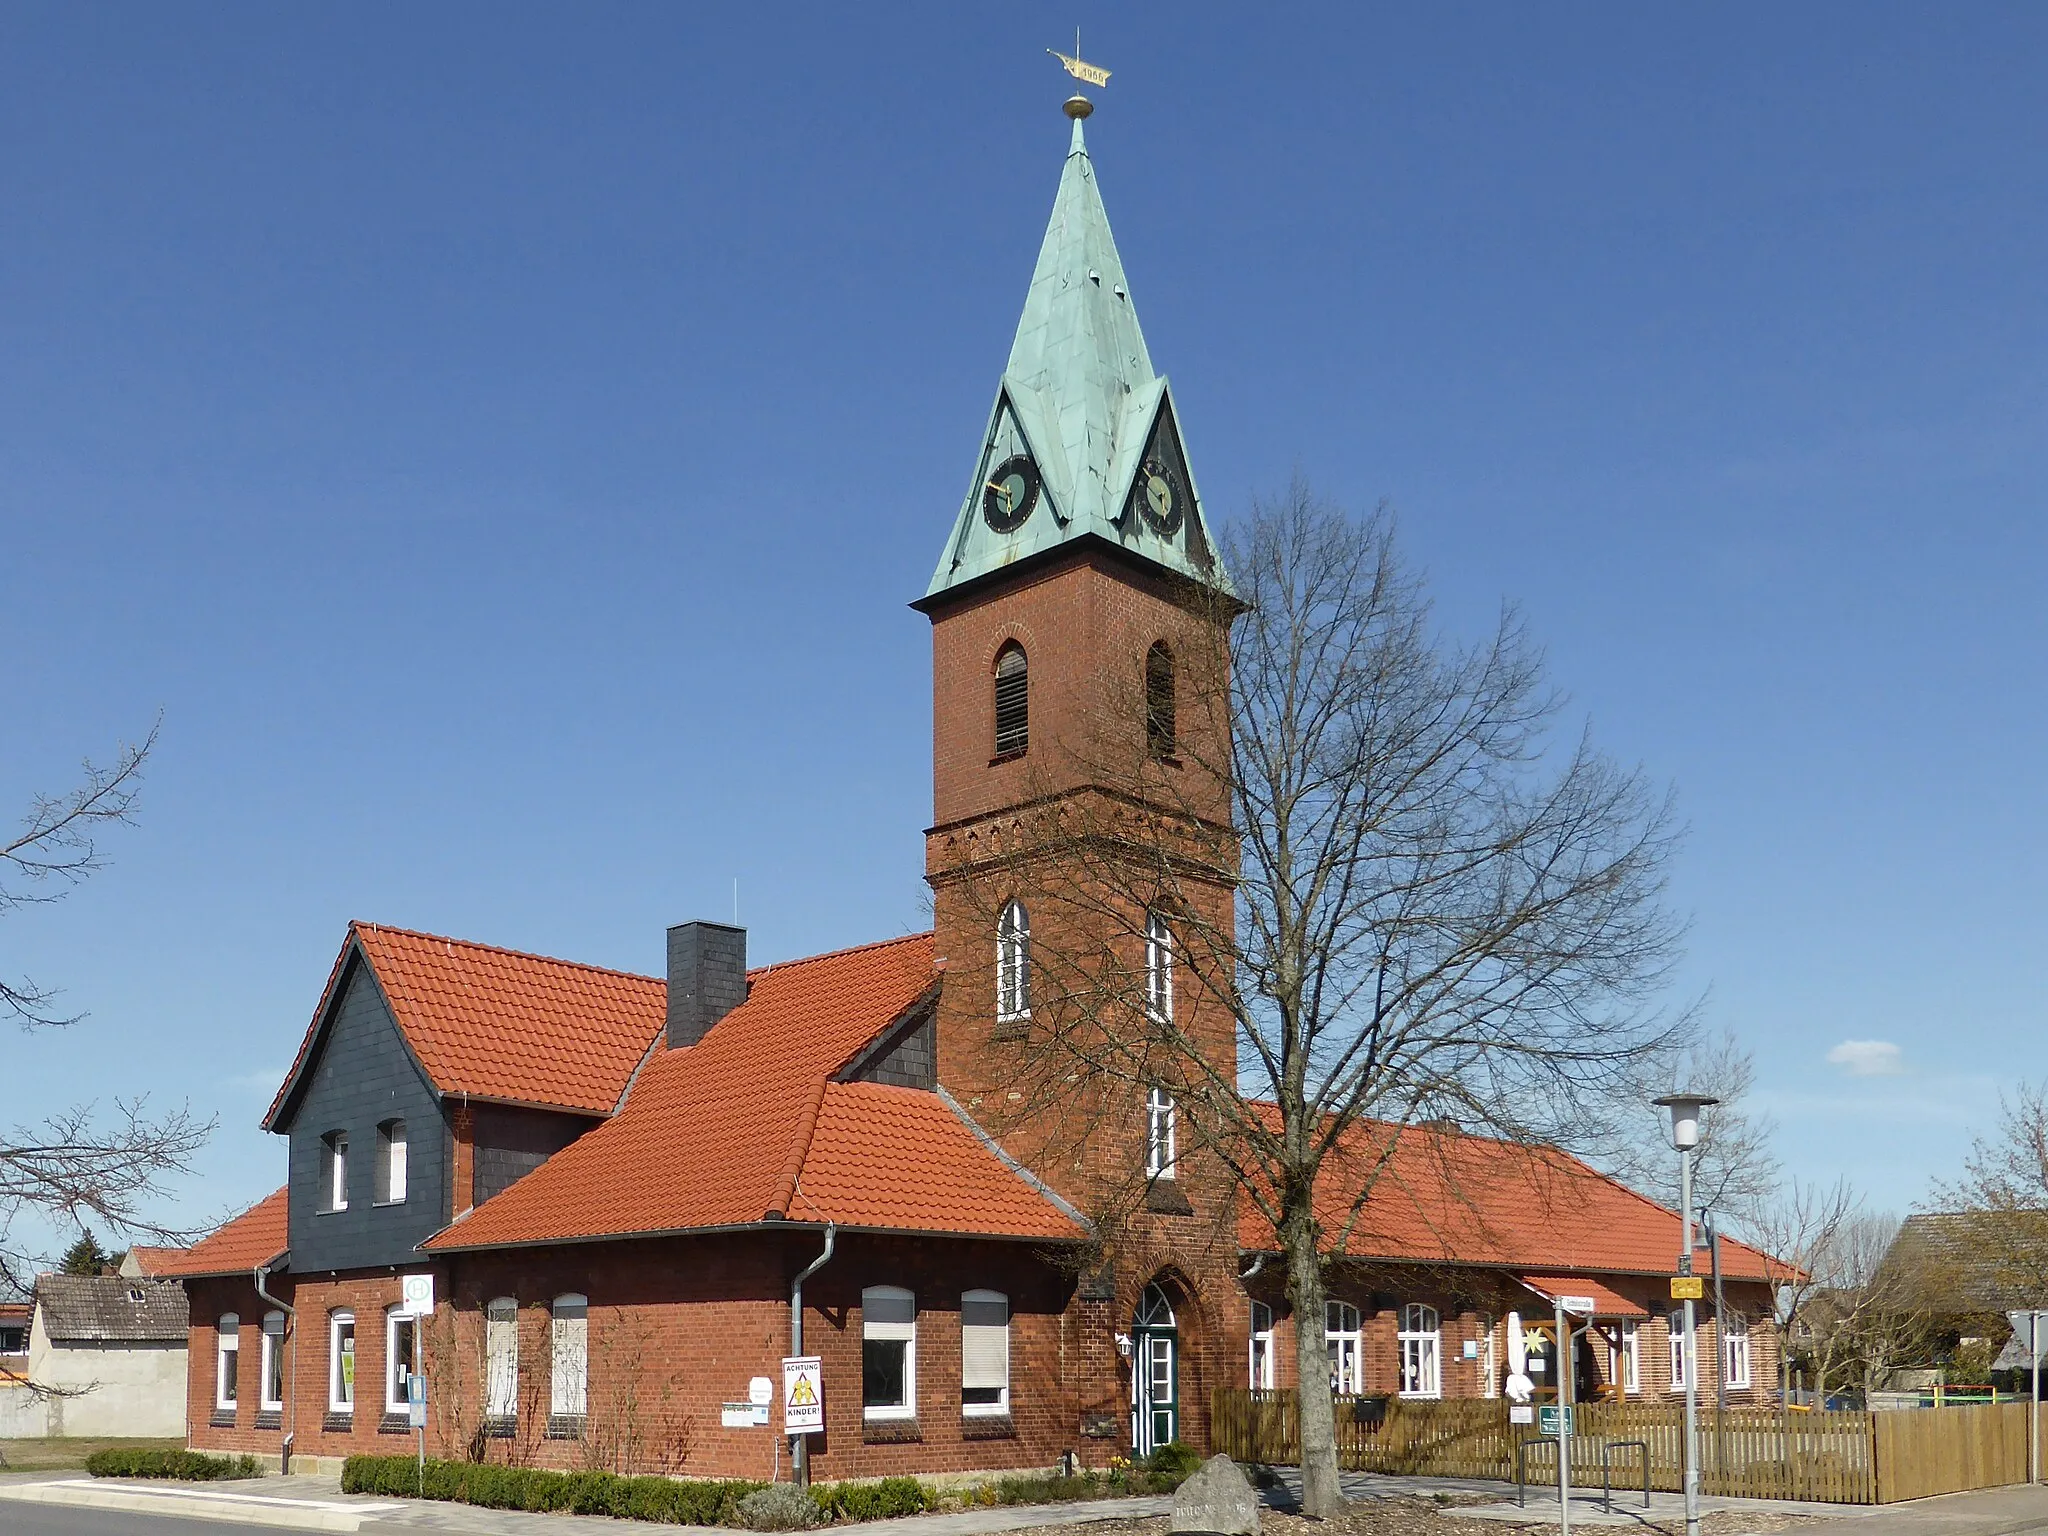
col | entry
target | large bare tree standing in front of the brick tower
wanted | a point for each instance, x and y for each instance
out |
(1385, 880)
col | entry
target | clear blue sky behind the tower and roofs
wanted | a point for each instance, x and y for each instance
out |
(503, 443)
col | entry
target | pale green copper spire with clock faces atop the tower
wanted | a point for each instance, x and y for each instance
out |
(1082, 439)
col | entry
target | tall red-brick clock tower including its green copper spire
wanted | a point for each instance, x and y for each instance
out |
(1078, 624)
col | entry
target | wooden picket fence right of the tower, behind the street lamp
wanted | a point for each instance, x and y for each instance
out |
(1838, 1457)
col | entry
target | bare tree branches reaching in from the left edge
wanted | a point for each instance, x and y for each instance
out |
(81, 1162)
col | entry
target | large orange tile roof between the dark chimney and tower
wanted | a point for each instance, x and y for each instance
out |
(746, 1127)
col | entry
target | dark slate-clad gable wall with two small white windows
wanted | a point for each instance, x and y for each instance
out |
(361, 1078)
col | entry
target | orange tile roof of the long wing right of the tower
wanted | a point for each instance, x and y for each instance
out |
(1480, 1201)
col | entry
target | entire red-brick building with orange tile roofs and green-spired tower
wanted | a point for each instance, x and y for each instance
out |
(617, 1183)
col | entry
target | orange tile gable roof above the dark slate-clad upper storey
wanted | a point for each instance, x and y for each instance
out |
(499, 1025)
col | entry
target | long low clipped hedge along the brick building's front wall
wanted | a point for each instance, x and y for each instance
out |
(531, 1488)
